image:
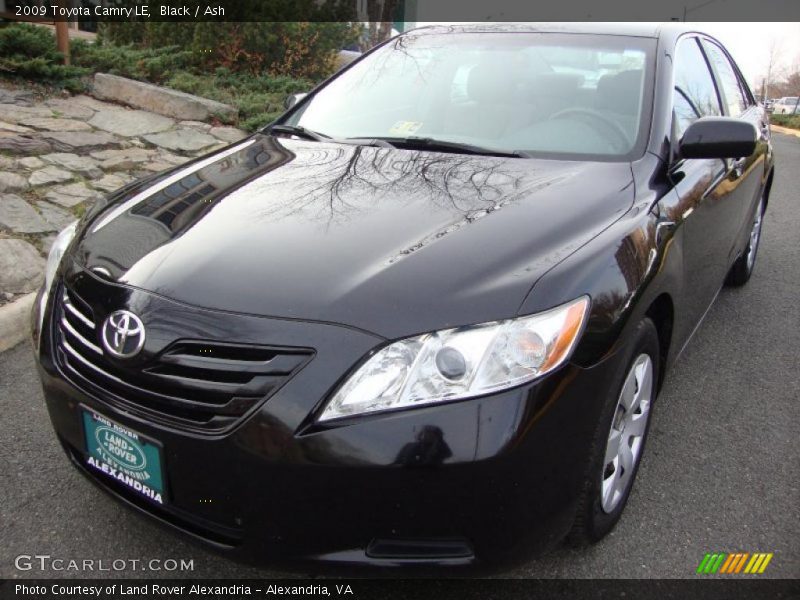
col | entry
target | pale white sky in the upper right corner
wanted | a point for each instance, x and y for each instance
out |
(749, 44)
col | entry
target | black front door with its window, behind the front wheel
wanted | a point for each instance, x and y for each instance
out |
(706, 187)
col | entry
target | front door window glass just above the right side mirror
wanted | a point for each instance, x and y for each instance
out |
(695, 94)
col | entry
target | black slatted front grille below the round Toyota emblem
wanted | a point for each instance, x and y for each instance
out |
(194, 384)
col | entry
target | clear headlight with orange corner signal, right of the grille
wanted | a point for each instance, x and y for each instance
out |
(460, 363)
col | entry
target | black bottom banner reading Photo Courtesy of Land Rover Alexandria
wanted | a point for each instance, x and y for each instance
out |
(387, 589)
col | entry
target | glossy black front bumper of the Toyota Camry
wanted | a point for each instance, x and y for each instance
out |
(476, 482)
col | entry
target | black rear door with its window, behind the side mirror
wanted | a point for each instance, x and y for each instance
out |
(745, 174)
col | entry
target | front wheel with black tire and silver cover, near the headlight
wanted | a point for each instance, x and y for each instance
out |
(602, 500)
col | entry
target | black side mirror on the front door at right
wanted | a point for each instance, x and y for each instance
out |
(719, 137)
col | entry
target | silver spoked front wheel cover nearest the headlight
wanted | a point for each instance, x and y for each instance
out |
(628, 428)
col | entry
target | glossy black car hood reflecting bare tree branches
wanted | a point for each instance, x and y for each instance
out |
(391, 241)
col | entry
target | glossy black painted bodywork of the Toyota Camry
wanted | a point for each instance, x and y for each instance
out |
(651, 237)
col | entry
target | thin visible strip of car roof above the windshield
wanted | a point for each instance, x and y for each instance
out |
(634, 29)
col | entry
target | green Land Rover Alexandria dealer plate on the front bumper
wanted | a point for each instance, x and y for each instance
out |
(124, 455)
